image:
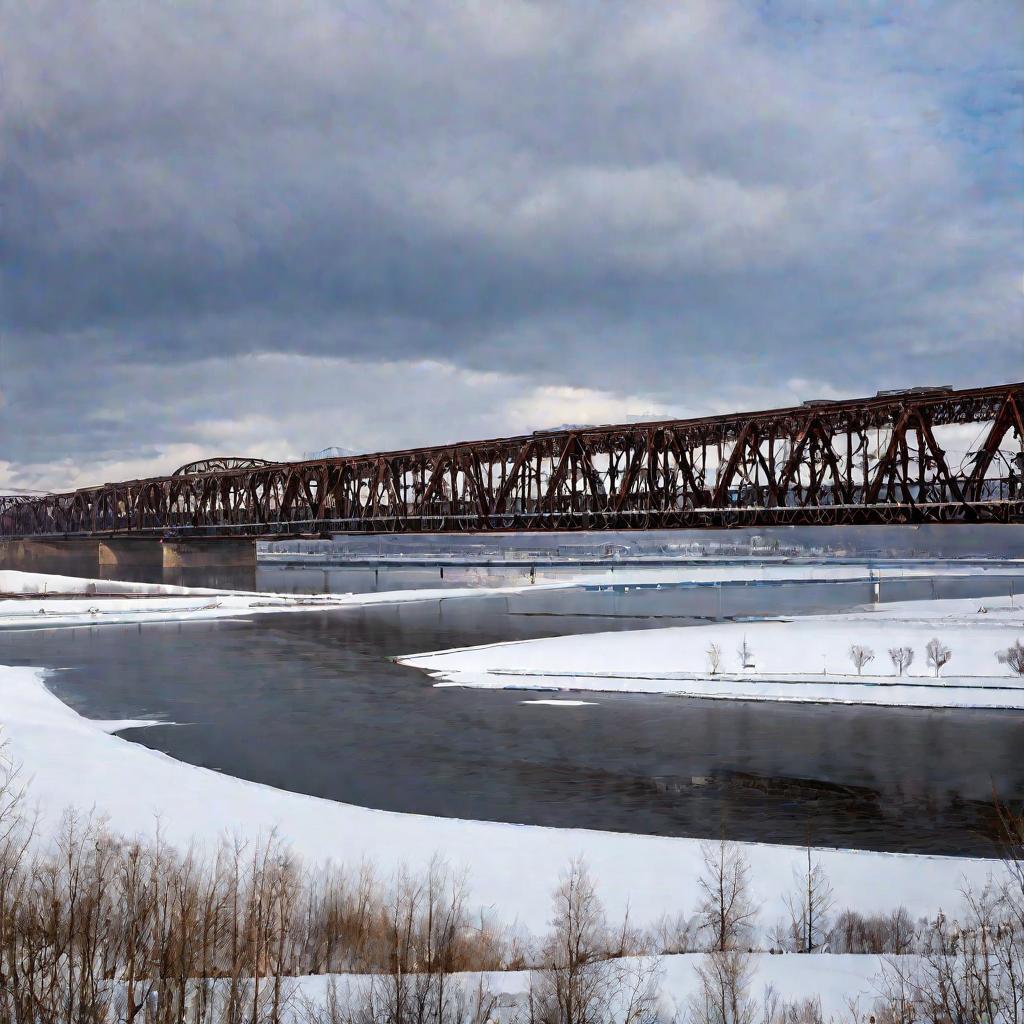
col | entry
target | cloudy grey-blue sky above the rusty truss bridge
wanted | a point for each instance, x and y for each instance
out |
(264, 229)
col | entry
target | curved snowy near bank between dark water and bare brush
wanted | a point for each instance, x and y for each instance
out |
(73, 762)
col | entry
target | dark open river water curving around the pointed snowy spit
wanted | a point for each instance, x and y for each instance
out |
(314, 704)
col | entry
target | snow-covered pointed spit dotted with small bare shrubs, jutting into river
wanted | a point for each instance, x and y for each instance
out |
(806, 659)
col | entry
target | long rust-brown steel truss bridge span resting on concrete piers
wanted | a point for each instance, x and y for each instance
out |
(926, 455)
